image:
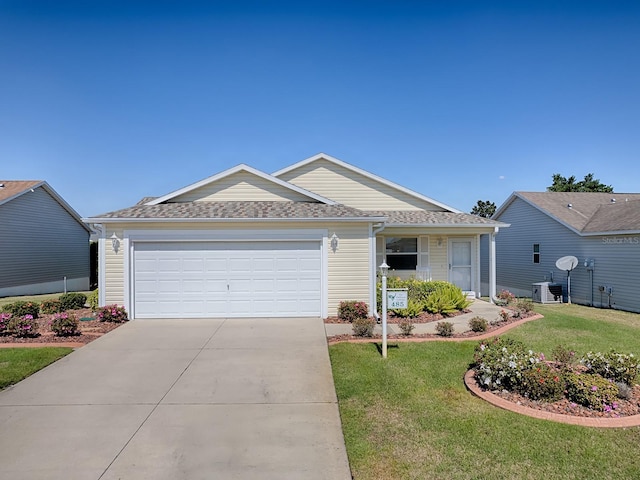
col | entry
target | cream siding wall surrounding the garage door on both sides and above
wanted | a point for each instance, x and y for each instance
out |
(348, 269)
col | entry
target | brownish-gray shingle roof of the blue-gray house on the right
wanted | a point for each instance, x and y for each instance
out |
(590, 212)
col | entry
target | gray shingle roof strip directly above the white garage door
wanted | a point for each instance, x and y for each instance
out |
(237, 210)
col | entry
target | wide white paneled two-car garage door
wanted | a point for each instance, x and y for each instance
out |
(227, 279)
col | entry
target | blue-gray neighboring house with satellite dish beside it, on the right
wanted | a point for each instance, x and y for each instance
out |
(601, 229)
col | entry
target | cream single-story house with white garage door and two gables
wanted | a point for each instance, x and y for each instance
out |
(244, 243)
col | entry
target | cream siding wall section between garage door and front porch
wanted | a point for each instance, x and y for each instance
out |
(349, 270)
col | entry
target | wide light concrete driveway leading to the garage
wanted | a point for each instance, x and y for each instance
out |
(180, 399)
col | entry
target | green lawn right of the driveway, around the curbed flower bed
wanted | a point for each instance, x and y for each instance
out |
(411, 417)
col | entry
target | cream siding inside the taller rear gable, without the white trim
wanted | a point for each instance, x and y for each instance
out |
(352, 189)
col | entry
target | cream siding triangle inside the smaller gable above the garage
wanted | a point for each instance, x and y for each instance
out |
(241, 186)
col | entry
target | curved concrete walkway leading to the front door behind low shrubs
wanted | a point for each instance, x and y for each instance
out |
(479, 308)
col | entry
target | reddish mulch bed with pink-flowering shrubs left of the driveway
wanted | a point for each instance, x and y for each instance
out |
(88, 330)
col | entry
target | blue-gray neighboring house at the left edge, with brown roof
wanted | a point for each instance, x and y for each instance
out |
(43, 241)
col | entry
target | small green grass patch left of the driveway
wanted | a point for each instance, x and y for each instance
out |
(19, 363)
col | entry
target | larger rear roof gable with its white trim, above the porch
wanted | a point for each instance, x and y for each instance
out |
(355, 187)
